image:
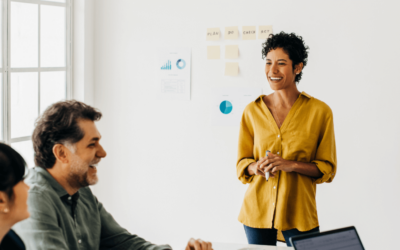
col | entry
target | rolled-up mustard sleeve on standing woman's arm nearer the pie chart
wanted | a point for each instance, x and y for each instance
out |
(245, 149)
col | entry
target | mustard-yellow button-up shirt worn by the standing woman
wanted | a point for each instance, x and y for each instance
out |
(288, 200)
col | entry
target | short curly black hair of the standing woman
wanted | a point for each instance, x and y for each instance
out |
(292, 44)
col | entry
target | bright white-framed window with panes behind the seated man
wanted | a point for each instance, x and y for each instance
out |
(35, 66)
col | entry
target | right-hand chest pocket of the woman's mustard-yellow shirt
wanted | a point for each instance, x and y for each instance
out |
(302, 146)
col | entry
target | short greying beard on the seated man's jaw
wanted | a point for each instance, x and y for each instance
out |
(78, 175)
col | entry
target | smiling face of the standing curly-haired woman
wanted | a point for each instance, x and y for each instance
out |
(279, 69)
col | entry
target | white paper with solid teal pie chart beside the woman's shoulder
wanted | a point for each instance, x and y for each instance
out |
(228, 104)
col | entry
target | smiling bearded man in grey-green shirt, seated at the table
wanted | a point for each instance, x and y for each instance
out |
(64, 212)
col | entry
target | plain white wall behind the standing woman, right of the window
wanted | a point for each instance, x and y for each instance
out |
(169, 175)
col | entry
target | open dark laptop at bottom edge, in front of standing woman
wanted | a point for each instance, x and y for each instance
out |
(339, 239)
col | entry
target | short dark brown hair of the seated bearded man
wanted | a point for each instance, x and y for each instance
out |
(59, 125)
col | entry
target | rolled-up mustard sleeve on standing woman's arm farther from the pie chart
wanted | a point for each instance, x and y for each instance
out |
(325, 157)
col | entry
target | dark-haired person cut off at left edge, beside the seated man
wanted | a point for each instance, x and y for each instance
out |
(13, 197)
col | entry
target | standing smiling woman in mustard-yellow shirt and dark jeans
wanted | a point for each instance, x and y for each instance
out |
(286, 147)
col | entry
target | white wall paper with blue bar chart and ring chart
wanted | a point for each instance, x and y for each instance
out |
(173, 73)
